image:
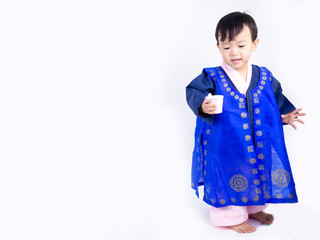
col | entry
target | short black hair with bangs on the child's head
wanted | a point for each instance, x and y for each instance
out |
(231, 25)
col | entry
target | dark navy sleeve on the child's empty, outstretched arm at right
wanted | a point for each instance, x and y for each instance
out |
(284, 105)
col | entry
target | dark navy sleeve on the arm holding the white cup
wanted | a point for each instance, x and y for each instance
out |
(196, 91)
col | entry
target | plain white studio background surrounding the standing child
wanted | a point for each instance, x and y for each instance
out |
(95, 133)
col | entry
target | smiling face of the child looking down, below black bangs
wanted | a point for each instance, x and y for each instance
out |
(237, 52)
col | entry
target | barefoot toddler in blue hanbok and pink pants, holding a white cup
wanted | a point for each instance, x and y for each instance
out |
(240, 155)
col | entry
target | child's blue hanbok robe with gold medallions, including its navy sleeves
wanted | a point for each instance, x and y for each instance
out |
(240, 155)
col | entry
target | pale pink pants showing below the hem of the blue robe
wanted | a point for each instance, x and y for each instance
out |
(232, 215)
